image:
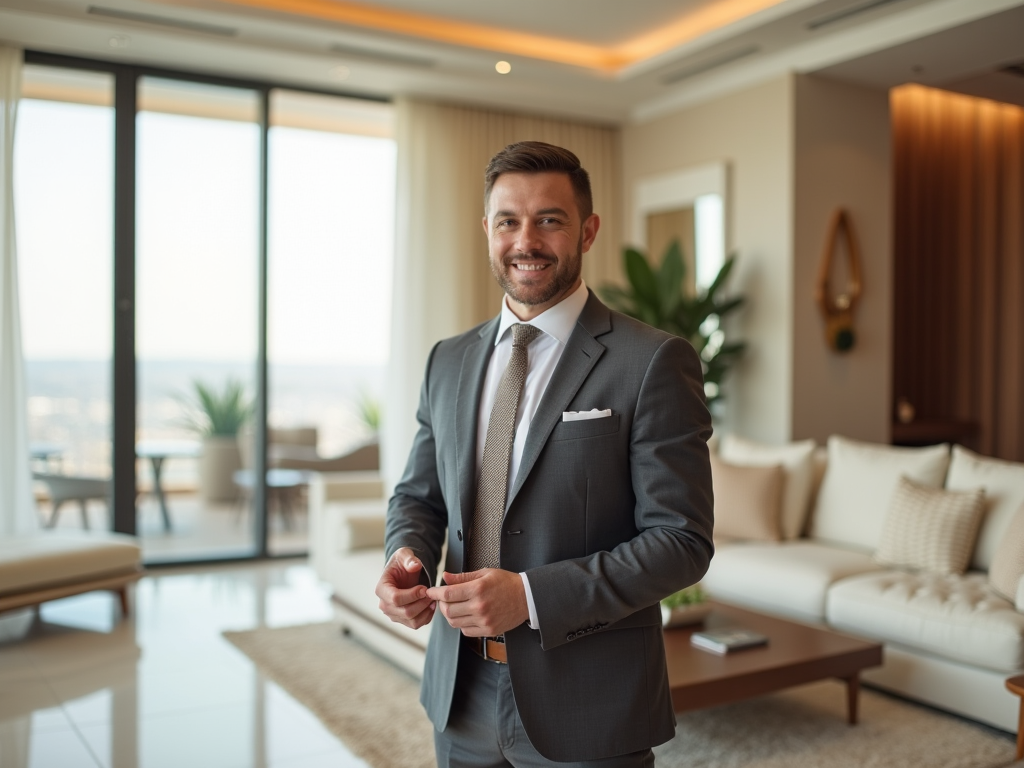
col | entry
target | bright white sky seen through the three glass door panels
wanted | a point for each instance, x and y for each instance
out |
(330, 240)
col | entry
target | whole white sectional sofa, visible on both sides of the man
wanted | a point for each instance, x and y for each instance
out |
(951, 641)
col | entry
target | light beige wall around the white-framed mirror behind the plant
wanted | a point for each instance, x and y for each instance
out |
(753, 133)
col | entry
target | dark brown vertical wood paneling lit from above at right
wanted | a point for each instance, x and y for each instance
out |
(959, 266)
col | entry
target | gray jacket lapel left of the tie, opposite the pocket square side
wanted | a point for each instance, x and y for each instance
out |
(475, 366)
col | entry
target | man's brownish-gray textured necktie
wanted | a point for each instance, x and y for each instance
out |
(492, 490)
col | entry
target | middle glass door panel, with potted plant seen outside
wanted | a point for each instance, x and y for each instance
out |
(197, 274)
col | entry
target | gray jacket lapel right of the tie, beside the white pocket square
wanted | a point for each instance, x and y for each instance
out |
(582, 354)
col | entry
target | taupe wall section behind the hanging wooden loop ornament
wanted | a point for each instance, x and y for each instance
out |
(842, 159)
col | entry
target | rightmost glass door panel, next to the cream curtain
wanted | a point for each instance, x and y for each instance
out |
(331, 224)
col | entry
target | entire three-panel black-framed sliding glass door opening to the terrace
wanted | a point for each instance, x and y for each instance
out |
(169, 238)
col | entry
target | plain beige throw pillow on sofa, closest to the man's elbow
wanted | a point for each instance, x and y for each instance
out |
(747, 501)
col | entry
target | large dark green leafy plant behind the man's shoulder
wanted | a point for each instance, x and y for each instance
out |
(656, 296)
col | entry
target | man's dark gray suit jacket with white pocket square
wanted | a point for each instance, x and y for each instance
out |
(607, 517)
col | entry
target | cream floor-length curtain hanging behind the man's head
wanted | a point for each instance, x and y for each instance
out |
(443, 284)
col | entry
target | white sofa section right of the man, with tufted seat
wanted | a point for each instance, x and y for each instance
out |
(951, 641)
